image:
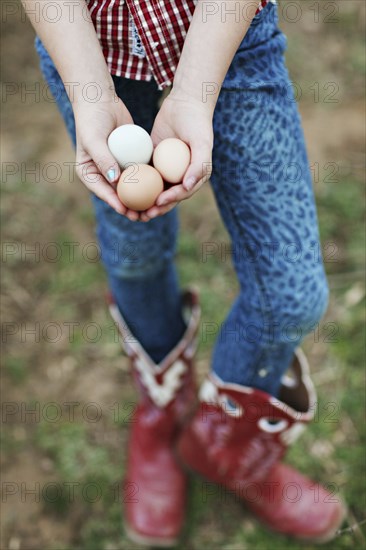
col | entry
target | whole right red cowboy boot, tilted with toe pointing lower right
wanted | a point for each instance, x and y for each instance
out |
(238, 436)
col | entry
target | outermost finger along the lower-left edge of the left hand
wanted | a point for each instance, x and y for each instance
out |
(94, 181)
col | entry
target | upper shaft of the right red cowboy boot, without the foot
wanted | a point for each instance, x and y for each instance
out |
(242, 432)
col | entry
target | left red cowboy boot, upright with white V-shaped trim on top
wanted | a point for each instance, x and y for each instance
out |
(155, 485)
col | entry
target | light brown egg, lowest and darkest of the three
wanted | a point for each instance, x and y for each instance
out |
(139, 186)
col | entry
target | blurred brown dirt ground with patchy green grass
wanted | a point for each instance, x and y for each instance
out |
(61, 357)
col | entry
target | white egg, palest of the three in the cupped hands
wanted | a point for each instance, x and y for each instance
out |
(130, 143)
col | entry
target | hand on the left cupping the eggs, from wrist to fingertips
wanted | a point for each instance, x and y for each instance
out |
(95, 165)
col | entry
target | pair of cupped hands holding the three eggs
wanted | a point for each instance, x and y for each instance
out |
(180, 116)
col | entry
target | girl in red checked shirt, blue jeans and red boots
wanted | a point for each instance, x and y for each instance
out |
(231, 101)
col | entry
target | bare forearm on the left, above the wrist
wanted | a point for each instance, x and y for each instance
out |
(74, 47)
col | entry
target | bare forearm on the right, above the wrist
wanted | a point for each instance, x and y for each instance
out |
(214, 36)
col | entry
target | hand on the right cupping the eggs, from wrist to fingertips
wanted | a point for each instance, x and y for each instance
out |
(190, 120)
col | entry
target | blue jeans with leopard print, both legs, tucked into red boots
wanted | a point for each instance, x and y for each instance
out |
(263, 189)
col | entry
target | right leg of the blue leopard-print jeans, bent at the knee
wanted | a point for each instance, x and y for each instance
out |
(263, 188)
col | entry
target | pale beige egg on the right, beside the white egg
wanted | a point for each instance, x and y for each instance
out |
(171, 158)
